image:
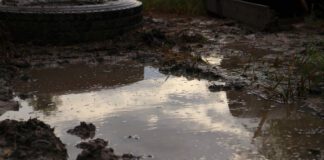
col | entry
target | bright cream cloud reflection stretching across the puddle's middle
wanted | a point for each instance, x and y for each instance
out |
(179, 98)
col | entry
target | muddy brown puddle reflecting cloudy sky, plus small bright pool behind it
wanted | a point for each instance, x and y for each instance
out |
(163, 117)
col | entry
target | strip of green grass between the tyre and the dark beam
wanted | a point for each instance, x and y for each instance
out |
(191, 7)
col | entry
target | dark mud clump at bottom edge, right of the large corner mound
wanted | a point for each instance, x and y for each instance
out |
(97, 149)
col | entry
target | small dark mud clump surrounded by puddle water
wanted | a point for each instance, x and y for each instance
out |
(84, 130)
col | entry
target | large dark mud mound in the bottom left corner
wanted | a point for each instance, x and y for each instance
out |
(30, 140)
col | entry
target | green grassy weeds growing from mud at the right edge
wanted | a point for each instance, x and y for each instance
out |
(303, 75)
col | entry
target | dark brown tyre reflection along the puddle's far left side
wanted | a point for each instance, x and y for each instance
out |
(75, 78)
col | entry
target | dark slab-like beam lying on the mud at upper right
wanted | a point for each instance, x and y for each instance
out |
(255, 15)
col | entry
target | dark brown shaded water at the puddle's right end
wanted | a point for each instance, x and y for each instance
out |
(282, 132)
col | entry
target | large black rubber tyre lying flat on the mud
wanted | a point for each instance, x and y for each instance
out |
(66, 21)
